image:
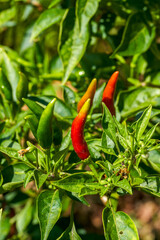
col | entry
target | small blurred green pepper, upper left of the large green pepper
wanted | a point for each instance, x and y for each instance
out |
(22, 87)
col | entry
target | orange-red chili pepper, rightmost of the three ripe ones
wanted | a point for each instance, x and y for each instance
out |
(108, 94)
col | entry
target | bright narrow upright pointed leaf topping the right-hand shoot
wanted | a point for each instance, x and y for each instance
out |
(143, 122)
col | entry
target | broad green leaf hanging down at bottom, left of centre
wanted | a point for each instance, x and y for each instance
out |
(49, 209)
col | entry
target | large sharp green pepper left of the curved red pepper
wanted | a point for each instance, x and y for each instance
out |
(44, 131)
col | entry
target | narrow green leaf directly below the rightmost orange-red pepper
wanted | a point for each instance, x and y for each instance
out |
(109, 125)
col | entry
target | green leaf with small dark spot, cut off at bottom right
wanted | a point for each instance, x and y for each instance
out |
(118, 226)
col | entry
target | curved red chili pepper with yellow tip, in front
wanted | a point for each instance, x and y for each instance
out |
(77, 135)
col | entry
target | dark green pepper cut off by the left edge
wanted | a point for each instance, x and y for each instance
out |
(5, 86)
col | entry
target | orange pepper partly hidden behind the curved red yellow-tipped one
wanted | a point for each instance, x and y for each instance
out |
(88, 94)
